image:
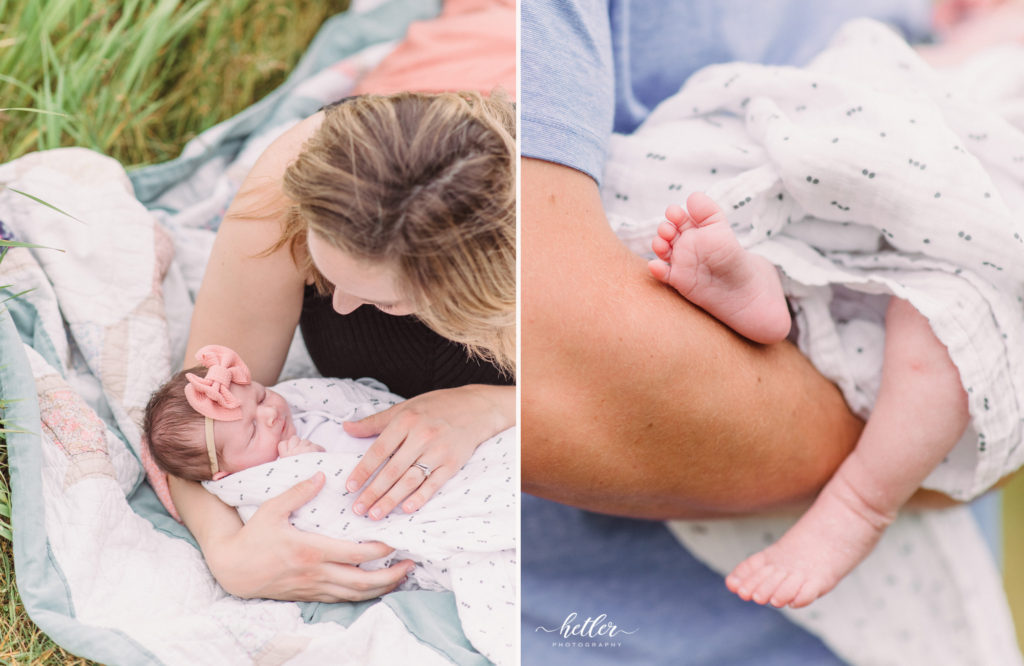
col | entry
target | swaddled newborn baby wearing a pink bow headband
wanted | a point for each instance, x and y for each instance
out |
(215, 424)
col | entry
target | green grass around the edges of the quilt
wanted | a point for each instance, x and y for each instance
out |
(135, 80)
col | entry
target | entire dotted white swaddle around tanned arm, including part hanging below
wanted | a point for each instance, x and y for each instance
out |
(865, 175)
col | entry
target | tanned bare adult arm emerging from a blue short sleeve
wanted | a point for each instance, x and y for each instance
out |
(637, 403)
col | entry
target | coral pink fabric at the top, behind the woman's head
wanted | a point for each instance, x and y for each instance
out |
(471, 47)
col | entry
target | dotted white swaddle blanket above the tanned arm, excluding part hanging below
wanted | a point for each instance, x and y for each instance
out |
(866, 170)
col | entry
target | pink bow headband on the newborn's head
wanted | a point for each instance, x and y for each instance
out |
(211, 396)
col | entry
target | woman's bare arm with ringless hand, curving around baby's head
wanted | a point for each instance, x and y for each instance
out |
(251, 302)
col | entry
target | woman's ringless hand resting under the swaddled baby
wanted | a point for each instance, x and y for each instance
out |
(270, 559)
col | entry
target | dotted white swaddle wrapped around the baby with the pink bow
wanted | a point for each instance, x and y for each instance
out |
(463, 539)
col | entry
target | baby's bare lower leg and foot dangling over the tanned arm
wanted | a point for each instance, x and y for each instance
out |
(919, 417)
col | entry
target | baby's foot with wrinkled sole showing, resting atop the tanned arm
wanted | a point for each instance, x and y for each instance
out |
(703, 261)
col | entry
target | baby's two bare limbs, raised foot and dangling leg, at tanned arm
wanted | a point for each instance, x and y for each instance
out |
(919, 417)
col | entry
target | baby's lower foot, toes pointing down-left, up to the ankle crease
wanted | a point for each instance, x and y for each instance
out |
(835, 535)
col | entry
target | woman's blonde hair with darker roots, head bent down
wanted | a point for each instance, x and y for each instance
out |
(425, 184)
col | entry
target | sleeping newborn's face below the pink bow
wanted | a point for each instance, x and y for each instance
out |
(253, 440)
